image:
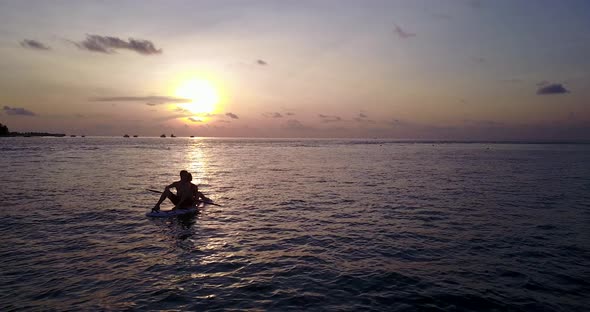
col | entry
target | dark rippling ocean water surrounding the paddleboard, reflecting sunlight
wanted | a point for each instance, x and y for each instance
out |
(319, 225)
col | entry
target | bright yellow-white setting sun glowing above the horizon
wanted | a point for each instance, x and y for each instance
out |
(202, 94)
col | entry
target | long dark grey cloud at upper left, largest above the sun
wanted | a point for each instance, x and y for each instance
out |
(108, 45)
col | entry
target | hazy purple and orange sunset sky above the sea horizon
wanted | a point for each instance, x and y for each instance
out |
(400, 69)
